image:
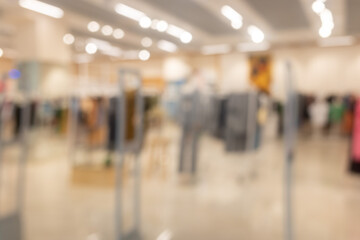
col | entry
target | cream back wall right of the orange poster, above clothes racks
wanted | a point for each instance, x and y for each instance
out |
(321, 70)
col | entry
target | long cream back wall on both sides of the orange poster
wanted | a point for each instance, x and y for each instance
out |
(314, 70)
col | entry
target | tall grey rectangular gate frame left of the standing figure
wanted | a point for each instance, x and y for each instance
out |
(123, 148)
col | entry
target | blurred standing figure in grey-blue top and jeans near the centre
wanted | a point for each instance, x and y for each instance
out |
(194, 106)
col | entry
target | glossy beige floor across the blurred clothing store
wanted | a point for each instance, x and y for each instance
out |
(234, 196)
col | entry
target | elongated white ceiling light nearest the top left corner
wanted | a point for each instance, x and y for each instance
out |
(42, 8)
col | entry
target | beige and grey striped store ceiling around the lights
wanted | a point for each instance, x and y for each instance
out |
(283, 21)
